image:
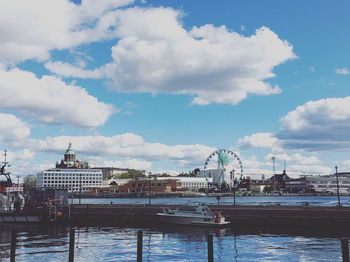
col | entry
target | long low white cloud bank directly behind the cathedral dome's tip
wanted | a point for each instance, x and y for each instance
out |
(128, 146)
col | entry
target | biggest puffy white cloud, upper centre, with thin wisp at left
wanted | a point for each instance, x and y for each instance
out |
(212, 64)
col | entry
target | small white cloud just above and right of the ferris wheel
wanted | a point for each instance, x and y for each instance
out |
(263, 140)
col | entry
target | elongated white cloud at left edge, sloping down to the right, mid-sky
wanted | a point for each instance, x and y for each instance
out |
(50, 100)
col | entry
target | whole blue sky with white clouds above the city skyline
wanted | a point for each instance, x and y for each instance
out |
(160, 85)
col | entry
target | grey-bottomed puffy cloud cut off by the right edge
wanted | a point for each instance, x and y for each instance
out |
(318, 125)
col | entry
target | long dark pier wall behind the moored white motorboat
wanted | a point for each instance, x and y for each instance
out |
(320, 218)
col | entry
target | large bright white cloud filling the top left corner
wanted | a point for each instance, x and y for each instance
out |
(29, 32)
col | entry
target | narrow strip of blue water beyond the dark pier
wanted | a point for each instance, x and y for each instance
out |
(241, 200)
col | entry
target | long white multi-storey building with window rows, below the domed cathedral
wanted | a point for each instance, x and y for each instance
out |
(72, 179)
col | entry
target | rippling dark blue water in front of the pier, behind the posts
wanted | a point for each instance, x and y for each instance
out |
(165, 244)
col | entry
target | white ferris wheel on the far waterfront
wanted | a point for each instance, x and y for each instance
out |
(223, 166)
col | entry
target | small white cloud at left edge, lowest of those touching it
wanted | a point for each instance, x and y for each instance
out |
(12, 129)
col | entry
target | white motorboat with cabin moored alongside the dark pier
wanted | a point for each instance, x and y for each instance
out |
(192, 214)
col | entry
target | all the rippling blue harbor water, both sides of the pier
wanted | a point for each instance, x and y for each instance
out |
(174, 243)
